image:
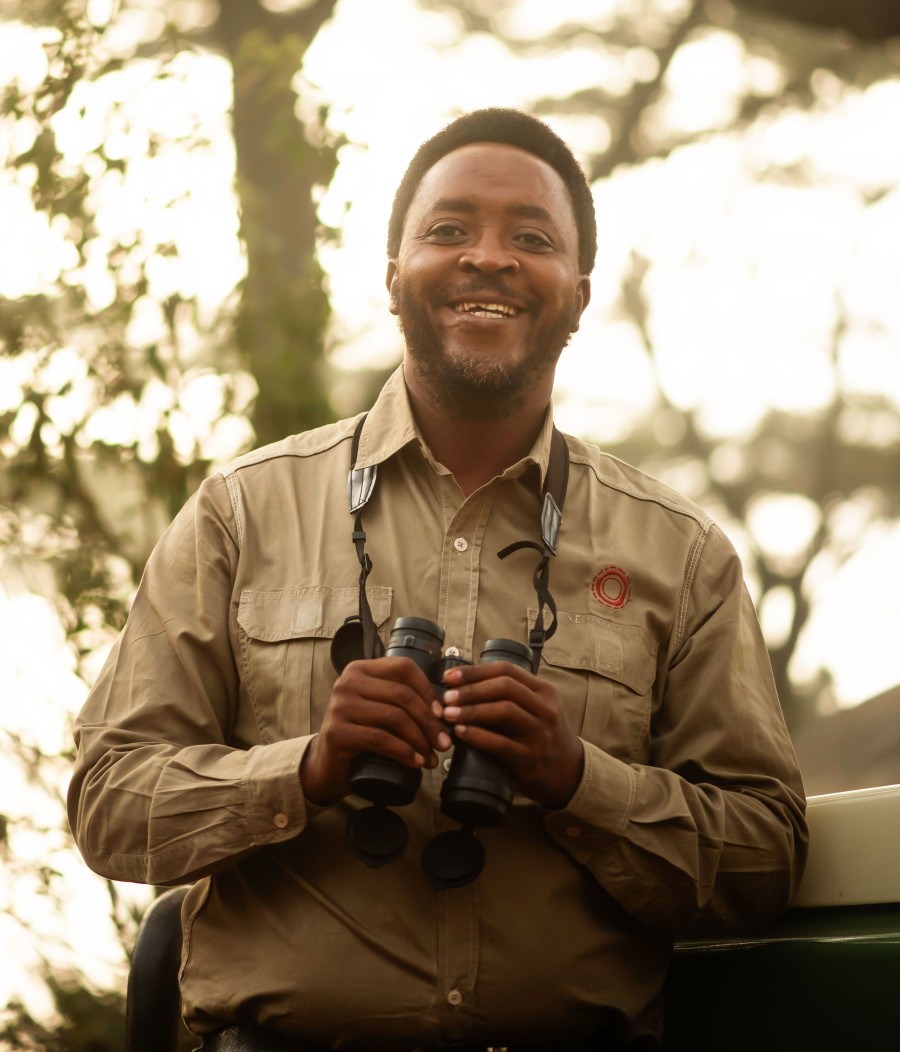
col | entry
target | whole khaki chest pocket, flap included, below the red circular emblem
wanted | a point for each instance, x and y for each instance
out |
(604, 673)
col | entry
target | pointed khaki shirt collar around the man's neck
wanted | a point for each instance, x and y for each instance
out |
(391, 427)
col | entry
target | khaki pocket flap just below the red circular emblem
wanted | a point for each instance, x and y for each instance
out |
(621, 653)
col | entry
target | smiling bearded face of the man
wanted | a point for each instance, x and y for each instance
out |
(486, 285)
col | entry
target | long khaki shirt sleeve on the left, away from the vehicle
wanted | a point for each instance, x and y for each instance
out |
(158, 794)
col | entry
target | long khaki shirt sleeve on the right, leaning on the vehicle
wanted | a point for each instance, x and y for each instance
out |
(713, 828)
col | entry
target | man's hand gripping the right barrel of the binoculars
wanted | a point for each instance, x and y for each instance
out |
(516, 716)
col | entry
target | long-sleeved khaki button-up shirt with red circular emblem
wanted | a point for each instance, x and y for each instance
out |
(190, 745)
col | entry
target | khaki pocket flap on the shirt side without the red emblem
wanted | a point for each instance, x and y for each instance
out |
(314, 612)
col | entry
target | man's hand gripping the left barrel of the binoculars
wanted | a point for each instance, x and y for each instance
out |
(384, 706)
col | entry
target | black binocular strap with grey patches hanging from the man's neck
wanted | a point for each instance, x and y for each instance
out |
(361, 485)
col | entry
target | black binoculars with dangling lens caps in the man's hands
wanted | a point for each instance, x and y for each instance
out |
(478, 792)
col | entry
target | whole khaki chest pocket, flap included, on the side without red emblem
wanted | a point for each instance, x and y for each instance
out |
(285, 638)
